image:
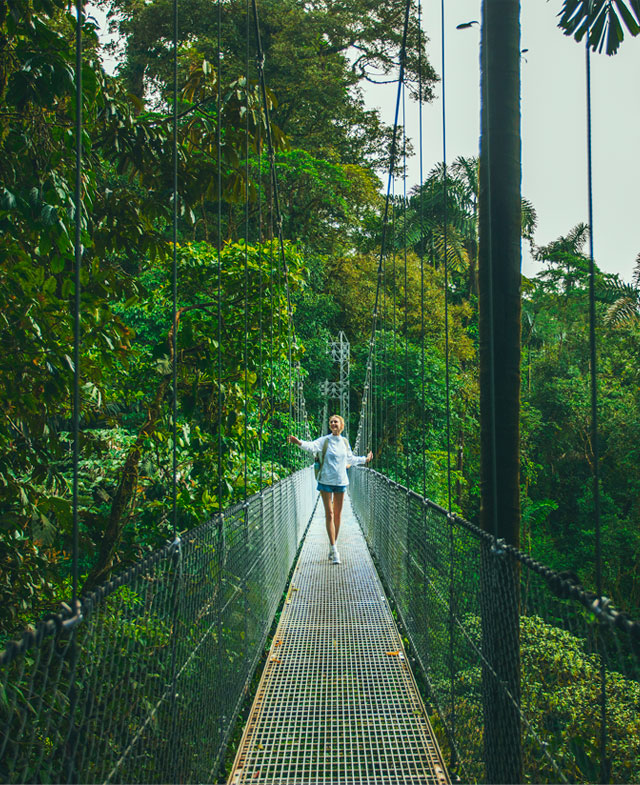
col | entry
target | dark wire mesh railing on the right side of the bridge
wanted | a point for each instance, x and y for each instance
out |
(450, 582)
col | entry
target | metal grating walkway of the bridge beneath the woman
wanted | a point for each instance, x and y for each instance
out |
(337, 702)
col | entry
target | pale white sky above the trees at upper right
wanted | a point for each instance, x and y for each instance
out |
(553, 125)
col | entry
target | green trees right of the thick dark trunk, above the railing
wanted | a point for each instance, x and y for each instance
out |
(556, 443)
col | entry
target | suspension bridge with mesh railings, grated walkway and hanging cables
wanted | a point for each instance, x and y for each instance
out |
(438, 651)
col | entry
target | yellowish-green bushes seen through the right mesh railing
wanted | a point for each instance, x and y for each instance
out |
(560, 694)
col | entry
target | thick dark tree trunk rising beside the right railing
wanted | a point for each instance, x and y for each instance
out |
(499, 325)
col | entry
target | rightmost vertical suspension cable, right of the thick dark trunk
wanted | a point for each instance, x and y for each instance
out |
(604, 764)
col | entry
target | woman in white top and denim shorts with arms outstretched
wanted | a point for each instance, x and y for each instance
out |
(335, 455)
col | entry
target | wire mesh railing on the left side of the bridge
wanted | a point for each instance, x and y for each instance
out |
(148, 685)
